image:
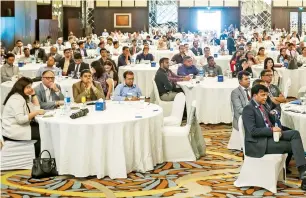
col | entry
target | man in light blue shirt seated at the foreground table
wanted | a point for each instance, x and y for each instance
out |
(127, 88)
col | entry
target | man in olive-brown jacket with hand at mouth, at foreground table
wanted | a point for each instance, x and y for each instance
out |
(87, 88)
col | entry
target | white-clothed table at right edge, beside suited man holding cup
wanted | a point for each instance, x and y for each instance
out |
(294, 120)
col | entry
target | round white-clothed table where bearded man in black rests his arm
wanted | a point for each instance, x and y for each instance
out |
(213, 99)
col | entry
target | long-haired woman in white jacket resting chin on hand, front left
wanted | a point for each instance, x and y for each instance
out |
(20, 108)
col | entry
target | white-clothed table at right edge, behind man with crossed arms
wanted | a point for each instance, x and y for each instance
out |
(297, 77)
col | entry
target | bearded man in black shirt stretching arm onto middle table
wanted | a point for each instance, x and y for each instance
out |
(166, 80)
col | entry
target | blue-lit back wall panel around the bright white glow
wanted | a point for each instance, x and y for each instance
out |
(188, 17)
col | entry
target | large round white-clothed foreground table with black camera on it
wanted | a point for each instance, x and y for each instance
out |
(105, 143)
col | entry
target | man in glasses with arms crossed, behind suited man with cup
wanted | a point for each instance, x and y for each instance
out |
(274, 93)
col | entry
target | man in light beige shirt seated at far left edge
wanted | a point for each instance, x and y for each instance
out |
(8, 70)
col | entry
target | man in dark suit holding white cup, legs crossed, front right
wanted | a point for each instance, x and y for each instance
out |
(259, 128)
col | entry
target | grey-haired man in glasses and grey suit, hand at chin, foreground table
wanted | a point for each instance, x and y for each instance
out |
(48, 93)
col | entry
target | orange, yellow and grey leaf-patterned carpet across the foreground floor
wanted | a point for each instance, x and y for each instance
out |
(211, 176)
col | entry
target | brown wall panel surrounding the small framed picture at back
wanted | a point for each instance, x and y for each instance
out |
(104, 19)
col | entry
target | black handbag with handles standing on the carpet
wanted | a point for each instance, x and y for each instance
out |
(44, 167)
